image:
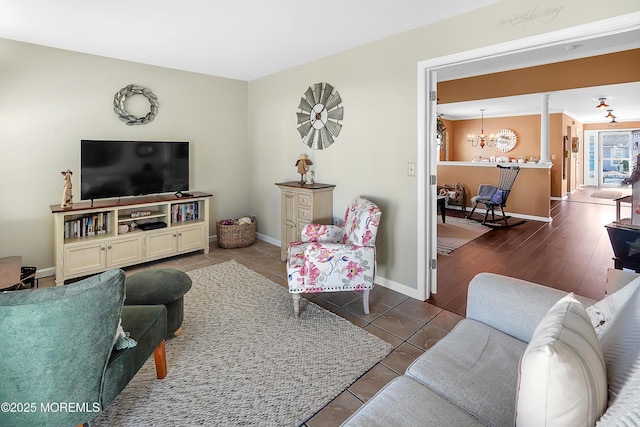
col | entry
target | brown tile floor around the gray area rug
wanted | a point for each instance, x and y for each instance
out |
(411, 326)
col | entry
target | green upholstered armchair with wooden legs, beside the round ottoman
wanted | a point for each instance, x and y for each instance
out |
(58, 365)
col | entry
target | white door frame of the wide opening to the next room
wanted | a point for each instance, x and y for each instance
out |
(426, 160)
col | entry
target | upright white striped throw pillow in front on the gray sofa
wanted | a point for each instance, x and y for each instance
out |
(562, 379)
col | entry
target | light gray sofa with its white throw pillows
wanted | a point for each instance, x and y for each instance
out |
(509, 360)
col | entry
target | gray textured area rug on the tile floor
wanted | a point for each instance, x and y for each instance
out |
(245, 359)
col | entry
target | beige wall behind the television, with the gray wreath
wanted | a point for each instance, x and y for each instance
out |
(51, 99)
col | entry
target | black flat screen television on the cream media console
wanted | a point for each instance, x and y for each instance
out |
(111, 169)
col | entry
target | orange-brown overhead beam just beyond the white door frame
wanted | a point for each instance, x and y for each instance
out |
(613, 68)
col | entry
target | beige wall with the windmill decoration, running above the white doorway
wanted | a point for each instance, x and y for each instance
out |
(378, 84)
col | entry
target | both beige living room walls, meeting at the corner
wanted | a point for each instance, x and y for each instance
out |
(244, 134)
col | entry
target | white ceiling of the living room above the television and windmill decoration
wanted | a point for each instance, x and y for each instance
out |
(244, 39)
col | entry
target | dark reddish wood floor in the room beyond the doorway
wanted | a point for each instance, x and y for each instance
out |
(571, 253)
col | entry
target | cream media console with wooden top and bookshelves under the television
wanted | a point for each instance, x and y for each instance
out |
(92, 237)
